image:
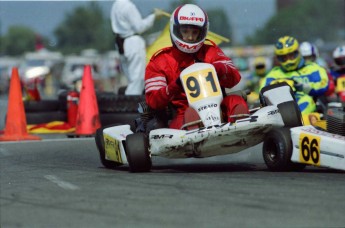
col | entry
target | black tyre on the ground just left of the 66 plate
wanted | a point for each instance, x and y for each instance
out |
(277, 151)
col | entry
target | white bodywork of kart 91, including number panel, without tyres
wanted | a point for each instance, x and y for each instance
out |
(203, 92)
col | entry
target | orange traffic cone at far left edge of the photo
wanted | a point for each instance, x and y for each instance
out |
(15, 129)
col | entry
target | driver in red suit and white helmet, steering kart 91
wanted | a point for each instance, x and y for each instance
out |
(188, 29)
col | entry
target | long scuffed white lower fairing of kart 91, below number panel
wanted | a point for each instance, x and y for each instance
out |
(215, 140)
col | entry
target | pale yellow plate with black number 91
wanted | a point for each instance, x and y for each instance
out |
(201, 84)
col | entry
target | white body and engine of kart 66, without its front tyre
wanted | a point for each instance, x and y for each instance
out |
(321, 145)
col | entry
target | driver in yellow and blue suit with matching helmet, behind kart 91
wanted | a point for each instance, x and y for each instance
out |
(308, 79)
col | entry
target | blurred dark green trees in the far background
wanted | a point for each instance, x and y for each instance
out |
(88, 27)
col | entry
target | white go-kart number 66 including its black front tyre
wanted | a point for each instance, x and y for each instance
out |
(319, 142)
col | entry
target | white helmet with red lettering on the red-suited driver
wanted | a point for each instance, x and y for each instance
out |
(188, 14)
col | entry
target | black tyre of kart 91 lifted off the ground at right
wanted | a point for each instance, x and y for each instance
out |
(290, 113)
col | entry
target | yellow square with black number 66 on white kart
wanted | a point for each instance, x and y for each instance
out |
(309, 149)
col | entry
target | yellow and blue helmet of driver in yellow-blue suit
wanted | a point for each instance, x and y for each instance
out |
(287, 52)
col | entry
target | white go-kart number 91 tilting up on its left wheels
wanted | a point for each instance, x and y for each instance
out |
(119, 145)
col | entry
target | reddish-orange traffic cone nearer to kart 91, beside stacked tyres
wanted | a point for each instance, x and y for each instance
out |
(88, 115)
